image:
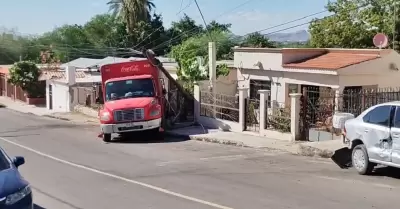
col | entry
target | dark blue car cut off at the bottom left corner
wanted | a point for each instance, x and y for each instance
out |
(15, 192)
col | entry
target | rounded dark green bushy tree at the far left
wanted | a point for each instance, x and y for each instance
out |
(25, 74)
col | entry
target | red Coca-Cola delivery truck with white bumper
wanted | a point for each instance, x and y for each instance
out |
(133, 99)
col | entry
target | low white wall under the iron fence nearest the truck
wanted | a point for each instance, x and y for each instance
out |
(224, 125)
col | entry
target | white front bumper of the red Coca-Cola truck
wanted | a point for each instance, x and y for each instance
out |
(131, 126)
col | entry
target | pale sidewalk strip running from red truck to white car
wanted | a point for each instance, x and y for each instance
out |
(321, 149)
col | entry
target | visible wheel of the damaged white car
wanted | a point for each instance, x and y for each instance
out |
(360, 160)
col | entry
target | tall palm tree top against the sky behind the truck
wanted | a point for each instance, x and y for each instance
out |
(131, 11)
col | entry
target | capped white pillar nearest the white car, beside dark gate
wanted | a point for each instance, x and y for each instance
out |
(295, 115)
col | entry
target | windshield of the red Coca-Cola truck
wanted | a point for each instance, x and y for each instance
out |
(129, 89)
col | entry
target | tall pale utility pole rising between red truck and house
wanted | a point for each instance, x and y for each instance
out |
(212, 63)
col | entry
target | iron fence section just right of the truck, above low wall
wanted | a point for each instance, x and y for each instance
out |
(220, 106)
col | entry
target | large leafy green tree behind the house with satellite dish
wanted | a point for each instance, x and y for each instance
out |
(353, 24)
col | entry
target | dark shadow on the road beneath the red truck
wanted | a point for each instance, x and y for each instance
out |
(147, 138)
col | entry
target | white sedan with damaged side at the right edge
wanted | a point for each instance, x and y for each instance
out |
(374, 137)
